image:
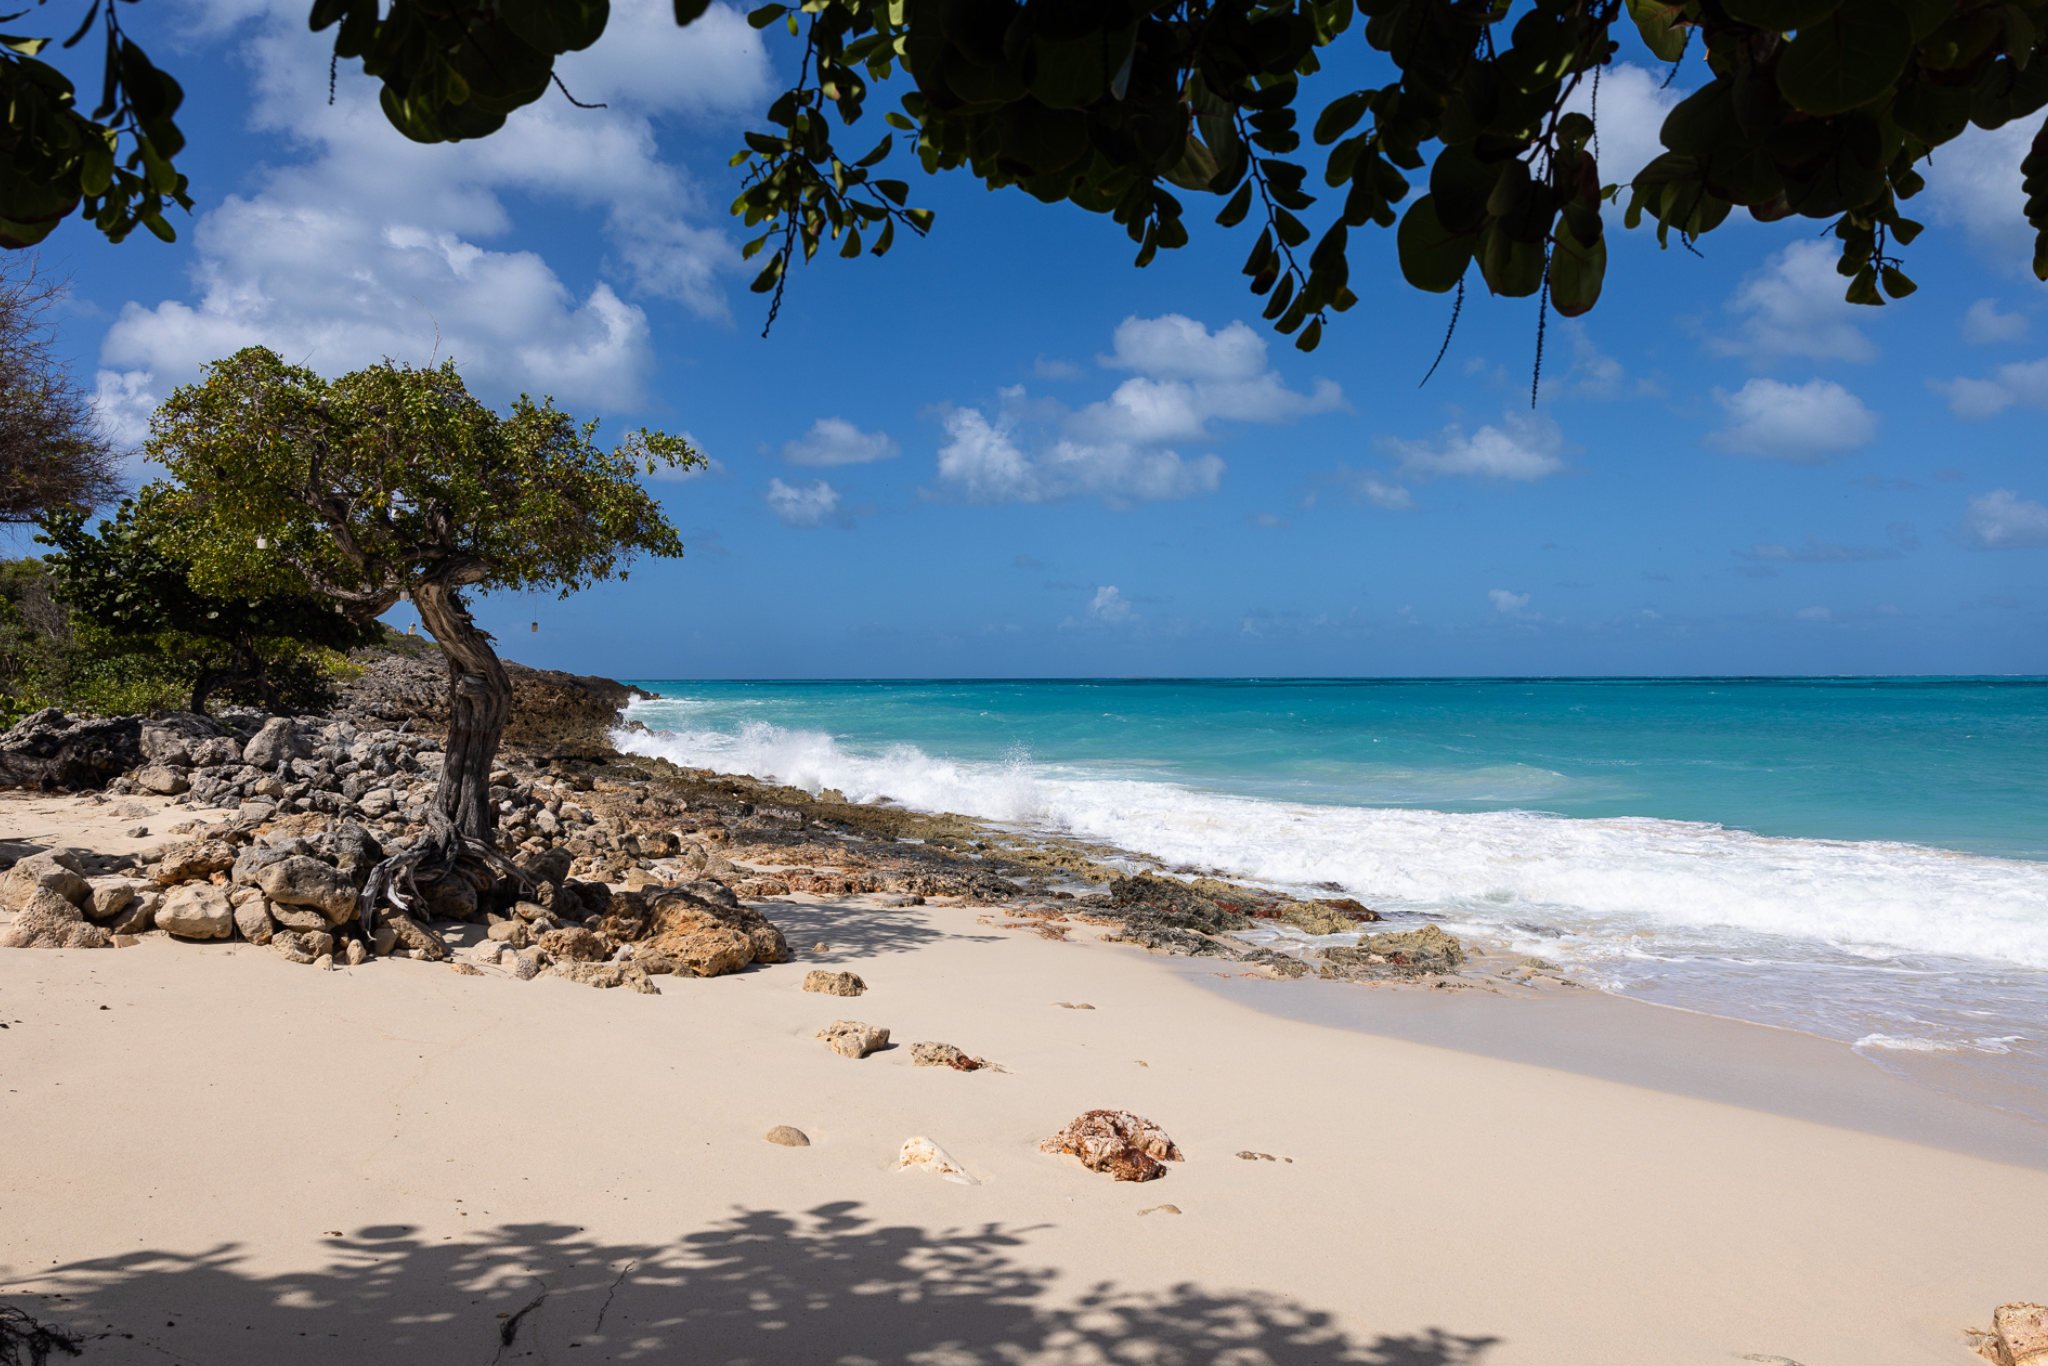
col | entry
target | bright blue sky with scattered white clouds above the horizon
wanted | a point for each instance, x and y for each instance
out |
(1002, 452)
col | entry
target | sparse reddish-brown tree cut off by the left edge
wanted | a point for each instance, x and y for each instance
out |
(52, 447)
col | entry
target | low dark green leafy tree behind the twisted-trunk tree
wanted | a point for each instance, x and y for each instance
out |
(128, 579)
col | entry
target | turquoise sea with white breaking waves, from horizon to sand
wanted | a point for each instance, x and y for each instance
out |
(1863, 859)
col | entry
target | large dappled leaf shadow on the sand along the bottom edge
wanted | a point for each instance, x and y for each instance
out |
(759, 1289)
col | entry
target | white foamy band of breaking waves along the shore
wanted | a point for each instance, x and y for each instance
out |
(1621, 888)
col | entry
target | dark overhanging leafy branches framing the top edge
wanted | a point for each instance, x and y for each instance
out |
(1811, 110)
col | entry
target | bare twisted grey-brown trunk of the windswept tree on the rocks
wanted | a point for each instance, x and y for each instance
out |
(480, 703)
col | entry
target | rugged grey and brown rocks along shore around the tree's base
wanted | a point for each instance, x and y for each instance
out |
(636, 867)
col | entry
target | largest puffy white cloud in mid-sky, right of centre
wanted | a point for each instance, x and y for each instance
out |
(1187, 382)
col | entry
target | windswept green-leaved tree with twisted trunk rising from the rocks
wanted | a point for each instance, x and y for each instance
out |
(394, 482)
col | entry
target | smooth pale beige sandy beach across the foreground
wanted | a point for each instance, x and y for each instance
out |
(216, 1156)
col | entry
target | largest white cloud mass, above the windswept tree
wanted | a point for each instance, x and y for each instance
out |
(372, 247)
